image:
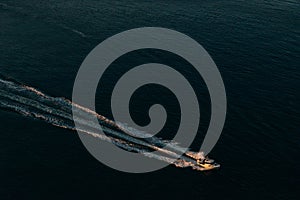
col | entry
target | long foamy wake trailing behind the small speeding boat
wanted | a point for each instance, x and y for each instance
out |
(58, 111)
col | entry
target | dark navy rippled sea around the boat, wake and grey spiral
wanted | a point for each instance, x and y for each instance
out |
(254, 43)
